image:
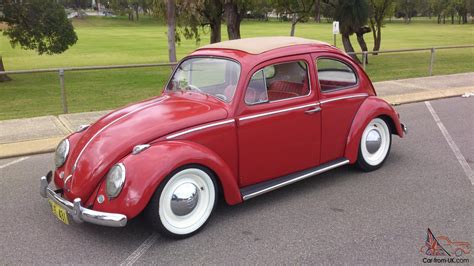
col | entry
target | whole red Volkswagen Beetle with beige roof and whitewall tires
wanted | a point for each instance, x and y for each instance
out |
(241, 117)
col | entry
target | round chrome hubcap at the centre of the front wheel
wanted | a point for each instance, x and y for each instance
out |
(184, 199)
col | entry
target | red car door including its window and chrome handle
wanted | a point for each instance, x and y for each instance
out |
(279, 128)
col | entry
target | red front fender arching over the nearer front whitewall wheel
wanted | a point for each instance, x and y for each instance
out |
(146, 170)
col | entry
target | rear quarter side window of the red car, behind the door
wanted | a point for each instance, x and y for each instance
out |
(334, 74)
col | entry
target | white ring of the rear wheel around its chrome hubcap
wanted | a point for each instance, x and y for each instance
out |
(379, 156)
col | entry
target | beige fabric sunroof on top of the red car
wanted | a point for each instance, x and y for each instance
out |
(261, 45)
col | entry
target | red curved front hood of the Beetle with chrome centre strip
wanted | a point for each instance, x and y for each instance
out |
(113, 136)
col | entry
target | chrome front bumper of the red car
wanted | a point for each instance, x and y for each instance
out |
(78, 213)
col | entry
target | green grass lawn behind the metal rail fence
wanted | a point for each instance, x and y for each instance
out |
(109, 41)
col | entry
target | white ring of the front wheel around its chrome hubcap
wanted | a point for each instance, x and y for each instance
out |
(187, 224)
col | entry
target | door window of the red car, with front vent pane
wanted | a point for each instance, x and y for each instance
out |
(278, 82)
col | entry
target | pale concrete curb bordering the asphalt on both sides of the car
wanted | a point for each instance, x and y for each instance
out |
(49, 144)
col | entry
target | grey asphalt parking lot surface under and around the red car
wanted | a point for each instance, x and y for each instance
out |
(343, 216)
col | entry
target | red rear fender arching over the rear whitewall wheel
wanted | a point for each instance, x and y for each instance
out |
(371, 108)
